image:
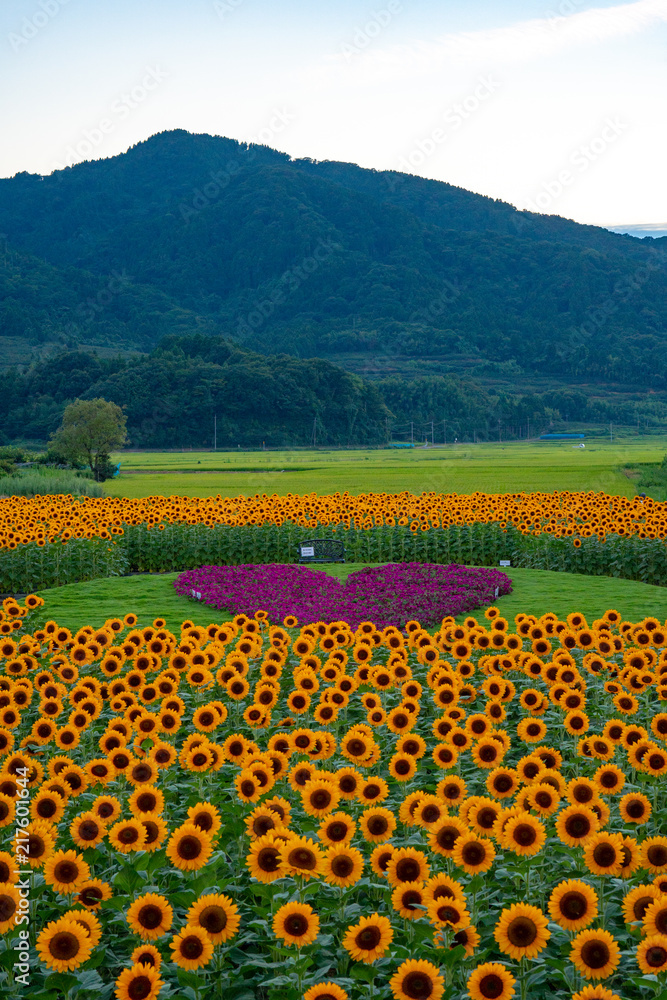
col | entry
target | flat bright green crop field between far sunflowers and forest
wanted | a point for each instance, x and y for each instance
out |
(541, 466)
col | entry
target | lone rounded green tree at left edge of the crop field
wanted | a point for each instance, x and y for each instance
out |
(90, 430)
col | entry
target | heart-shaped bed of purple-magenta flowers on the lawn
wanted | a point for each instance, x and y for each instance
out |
(385, 595)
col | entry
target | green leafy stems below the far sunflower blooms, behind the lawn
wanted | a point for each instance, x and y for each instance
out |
(178, 547)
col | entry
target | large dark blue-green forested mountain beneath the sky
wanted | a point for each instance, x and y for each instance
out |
(324, 258)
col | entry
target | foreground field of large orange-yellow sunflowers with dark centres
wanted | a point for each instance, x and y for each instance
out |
(292, 810)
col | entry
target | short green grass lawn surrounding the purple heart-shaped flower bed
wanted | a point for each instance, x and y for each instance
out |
(535, 592)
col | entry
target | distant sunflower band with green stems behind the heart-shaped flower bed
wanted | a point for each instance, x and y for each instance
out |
(53, 540)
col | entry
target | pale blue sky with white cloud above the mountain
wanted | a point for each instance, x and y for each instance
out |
(555, 106)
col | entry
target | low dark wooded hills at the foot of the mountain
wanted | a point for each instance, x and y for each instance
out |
(172, 395)
